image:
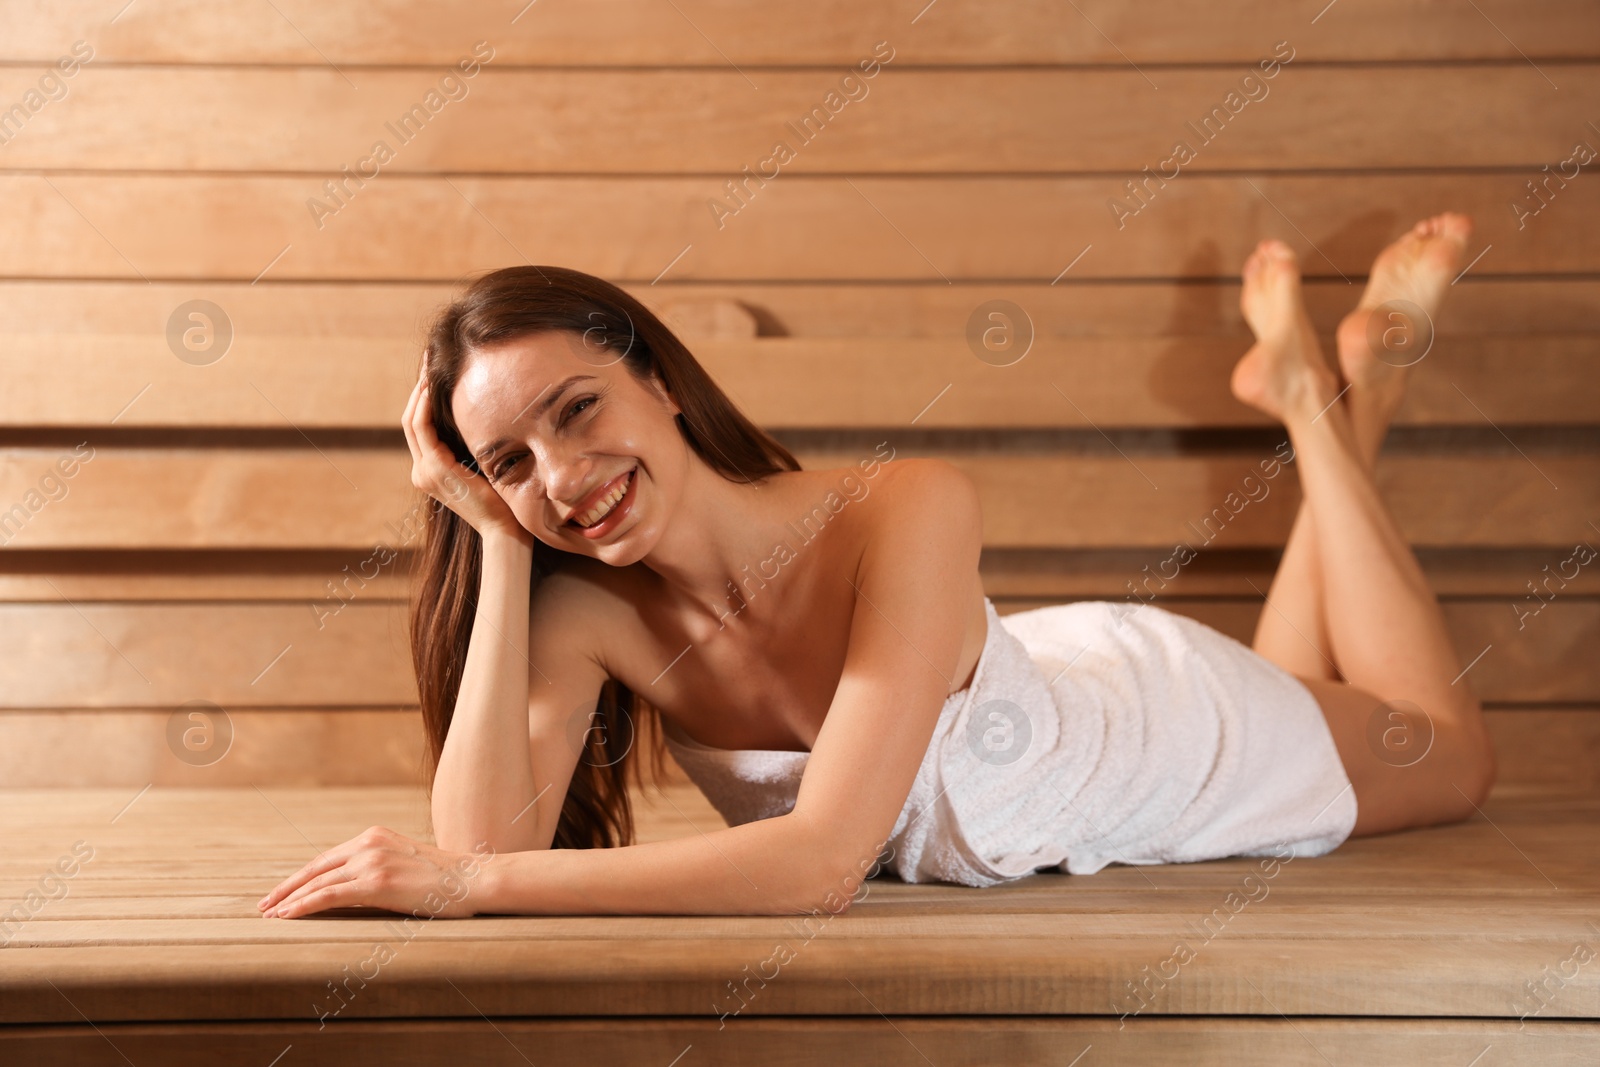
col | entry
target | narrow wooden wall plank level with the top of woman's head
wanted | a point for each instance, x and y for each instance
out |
(399, 314)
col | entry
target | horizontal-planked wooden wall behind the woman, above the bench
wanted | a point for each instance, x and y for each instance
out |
(225, 489)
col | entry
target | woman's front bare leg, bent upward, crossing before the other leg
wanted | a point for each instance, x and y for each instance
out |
(1385, 628)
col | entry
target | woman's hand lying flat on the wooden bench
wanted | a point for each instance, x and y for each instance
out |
(382, 869)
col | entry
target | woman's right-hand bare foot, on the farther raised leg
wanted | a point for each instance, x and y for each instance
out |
(1393, 327)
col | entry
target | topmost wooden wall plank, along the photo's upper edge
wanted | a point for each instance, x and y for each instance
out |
(833, 33)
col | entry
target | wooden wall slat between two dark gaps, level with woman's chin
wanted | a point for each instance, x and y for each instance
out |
(359, 498)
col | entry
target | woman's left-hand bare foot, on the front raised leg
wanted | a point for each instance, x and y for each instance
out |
(1286, 374)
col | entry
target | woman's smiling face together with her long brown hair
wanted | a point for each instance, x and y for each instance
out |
(618, 362)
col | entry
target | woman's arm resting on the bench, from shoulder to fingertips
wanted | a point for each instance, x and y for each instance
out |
(913, 602)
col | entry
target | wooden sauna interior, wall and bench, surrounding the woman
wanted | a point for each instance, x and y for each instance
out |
(228, 226)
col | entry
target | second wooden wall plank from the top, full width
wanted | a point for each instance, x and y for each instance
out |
(990, 121)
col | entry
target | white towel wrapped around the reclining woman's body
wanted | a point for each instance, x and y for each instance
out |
(1092, 733)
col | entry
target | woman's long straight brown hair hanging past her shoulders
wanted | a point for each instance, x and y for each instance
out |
(503, 306)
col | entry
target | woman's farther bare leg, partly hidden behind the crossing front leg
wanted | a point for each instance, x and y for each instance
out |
(1294, 631)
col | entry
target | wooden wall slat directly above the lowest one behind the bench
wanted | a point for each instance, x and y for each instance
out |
(161, 655)
